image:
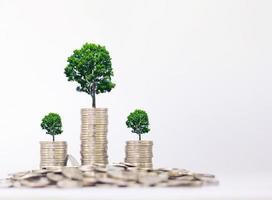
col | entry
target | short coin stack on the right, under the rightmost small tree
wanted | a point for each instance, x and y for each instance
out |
(139, 153)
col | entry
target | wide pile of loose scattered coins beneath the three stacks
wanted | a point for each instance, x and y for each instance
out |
(117, 175)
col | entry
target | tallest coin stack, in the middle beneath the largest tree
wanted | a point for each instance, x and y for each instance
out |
(94, 128)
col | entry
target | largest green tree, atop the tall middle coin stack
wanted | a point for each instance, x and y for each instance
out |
(90, 66)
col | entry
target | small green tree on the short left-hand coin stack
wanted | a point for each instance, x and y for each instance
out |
(52, 124)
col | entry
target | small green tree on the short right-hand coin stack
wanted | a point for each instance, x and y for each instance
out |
(138, 121)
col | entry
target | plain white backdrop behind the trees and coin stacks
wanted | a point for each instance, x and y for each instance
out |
(201, 69)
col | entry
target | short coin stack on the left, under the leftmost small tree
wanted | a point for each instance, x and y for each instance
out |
(53, 154)
